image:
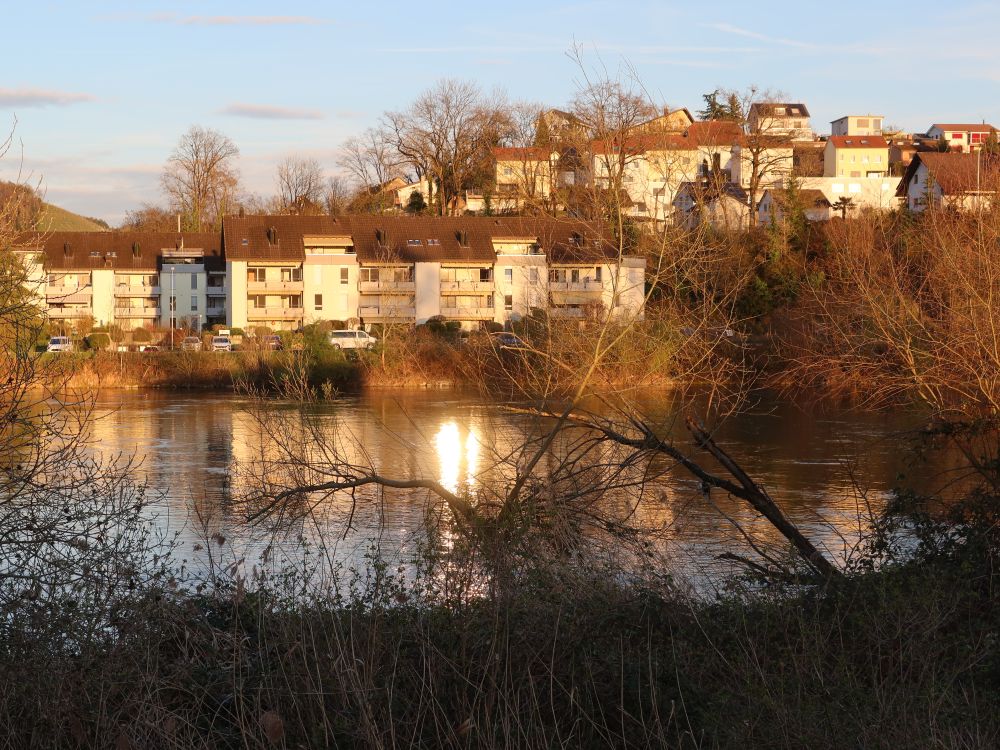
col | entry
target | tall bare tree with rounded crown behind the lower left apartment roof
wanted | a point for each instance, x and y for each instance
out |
(200, 177)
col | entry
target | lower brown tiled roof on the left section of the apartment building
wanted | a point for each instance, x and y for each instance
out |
(81, 251)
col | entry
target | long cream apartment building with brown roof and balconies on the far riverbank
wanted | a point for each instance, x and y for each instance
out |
(283, 272)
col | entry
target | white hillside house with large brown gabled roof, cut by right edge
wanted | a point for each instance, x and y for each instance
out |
(960, 181)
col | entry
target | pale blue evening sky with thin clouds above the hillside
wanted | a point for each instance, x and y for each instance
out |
(98, 93)
